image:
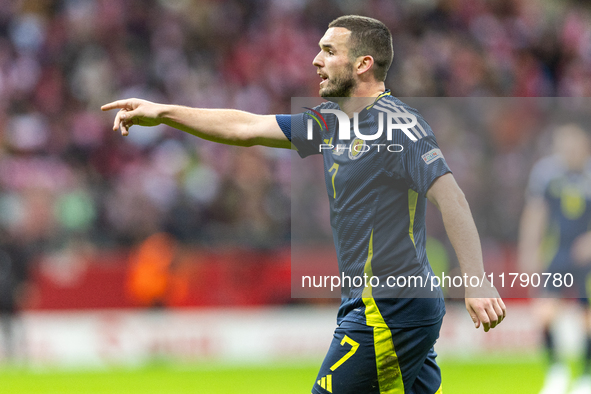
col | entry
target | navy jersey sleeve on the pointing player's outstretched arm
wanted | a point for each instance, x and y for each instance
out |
(295, 128)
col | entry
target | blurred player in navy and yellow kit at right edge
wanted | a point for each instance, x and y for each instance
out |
(555, 228)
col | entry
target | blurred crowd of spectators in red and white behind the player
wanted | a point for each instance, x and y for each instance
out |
(67, 179)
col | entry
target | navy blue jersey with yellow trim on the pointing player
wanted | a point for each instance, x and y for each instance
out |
(376, 190)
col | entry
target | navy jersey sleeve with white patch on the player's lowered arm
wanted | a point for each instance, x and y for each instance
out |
(422, 163)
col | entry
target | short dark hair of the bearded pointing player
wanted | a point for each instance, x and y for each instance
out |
(368, 37)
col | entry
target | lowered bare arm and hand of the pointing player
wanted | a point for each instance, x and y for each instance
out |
(447, 196)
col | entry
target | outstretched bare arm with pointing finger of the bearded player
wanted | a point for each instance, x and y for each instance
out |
(226, 126)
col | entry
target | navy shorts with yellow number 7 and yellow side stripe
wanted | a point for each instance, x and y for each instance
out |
(375, 360)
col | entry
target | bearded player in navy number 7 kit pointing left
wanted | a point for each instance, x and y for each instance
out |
(377, 199)
